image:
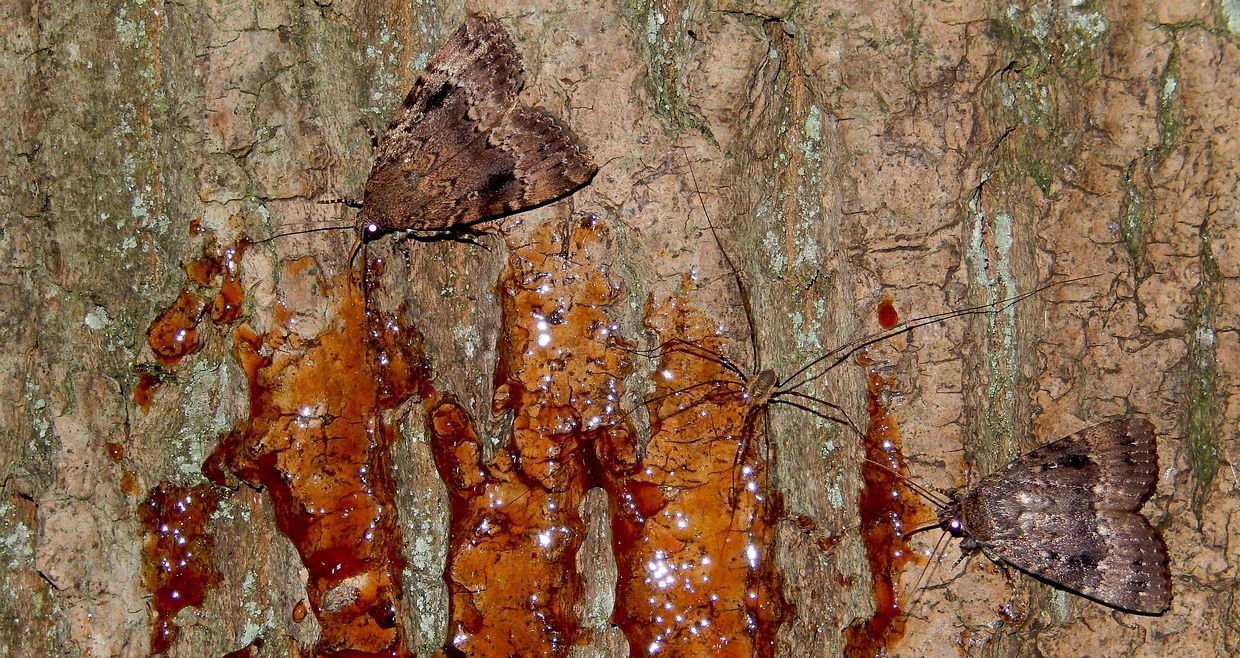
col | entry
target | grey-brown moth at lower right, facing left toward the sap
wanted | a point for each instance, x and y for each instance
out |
(1068, 514)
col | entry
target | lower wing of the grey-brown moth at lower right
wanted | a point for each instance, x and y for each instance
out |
(1115, 558)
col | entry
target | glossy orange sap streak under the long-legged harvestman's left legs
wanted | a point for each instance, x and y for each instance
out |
(694, 529)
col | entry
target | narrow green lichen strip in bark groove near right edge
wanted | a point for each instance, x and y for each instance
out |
(1203, 375)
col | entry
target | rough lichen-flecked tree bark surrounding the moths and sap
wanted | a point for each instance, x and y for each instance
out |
(943, 154)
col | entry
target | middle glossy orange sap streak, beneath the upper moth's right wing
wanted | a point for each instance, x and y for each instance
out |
(515, 524)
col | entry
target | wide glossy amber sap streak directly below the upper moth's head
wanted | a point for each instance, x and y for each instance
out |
(318, 441)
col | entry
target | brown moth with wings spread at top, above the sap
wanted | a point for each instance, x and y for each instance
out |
(463, 151)
